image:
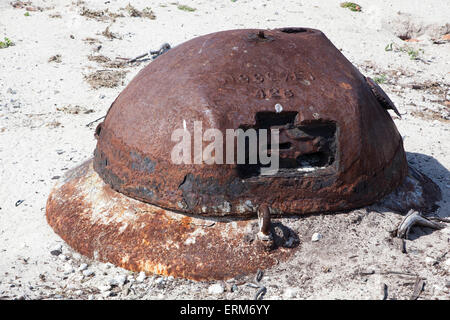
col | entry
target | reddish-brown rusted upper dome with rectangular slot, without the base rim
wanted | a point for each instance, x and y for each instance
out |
(234, 79)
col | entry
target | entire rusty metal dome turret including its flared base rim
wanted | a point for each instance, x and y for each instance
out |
(339, 149)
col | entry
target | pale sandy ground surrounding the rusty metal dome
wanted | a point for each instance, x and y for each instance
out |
(46, 104)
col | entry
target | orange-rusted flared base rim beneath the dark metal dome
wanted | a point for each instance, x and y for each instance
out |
(103, 224)
